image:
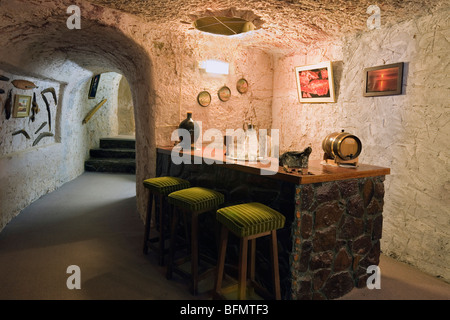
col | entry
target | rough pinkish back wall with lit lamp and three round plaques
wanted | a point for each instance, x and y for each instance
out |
(184, 80)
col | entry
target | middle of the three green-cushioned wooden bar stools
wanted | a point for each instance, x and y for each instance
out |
(192, 201)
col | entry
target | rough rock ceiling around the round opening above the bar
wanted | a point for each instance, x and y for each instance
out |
(282, 24)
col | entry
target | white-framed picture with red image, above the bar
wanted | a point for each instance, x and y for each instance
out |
(315, 83)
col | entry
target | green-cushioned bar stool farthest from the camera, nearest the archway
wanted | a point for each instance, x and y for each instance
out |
(159, 188)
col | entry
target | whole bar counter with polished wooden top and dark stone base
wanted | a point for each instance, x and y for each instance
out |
(333, 218)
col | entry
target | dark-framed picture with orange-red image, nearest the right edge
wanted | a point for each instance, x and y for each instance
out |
(383, 80)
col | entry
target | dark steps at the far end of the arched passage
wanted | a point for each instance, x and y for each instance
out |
(116, 154)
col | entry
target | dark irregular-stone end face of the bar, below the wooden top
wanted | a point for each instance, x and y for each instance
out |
(336, 236)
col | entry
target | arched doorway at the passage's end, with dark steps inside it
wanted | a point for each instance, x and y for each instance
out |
(110, 130)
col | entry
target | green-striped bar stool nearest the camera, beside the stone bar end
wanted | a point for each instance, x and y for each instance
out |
(248, 222)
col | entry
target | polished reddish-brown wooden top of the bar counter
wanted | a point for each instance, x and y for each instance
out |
(317, 172)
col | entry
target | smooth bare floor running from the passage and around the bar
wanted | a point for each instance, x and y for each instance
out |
(92, 222)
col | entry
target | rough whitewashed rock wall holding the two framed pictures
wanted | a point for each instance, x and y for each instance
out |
(407, 133)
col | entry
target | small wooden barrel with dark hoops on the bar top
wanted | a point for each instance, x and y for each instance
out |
(342, 145)
